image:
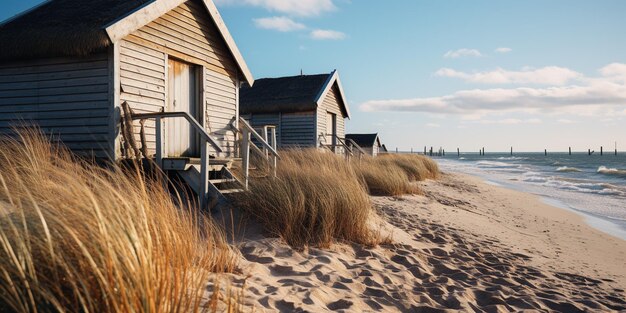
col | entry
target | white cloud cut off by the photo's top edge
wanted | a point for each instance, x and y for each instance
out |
(290, 7)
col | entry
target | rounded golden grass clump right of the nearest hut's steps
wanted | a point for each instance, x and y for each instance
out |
(316, 199)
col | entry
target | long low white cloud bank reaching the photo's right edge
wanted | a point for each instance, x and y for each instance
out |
(599, 96)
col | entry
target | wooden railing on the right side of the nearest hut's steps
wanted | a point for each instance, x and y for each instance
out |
(268, 150)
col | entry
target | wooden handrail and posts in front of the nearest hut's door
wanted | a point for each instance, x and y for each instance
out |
(206, 140)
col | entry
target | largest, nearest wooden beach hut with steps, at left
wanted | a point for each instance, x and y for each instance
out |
(119, 79)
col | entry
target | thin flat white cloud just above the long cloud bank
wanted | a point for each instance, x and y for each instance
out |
(550, 75)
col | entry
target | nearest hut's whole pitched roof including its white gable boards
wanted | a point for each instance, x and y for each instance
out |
(65, 28)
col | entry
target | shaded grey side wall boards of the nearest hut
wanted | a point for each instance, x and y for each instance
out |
(67, 98)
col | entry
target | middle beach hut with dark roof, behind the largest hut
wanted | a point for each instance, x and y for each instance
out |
(307, 110)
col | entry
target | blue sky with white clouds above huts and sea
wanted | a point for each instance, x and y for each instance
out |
(530, 74)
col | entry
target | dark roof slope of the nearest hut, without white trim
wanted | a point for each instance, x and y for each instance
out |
(63, 28)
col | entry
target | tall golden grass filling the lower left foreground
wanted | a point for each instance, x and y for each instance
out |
(75, 237)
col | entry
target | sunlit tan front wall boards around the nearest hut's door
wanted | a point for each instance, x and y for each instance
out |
(186, 33)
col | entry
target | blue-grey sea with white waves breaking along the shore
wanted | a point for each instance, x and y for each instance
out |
(592, 186)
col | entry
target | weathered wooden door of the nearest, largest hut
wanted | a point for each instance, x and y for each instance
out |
(180, 137)
